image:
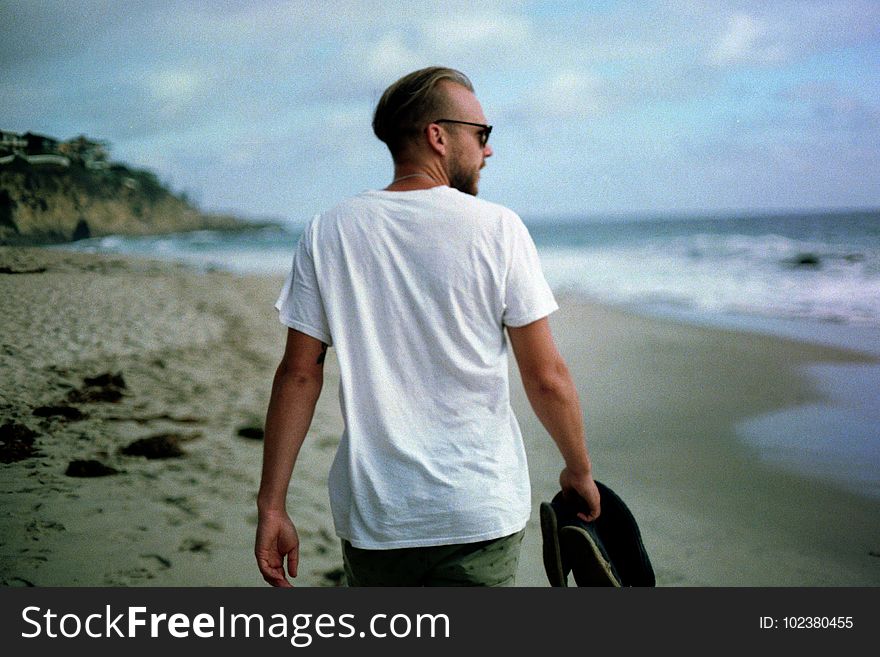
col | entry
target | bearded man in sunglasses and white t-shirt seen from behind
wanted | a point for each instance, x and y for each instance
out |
(414, 286)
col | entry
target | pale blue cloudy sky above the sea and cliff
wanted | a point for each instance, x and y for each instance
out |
(599, 108)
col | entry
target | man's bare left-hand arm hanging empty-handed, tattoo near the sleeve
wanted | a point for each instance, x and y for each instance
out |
(295, 392)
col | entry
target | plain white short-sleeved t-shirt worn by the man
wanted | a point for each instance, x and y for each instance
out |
(413, 290)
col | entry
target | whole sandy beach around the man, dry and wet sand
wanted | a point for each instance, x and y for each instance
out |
(131, 392)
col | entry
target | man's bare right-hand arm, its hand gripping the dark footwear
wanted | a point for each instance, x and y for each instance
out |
(553, 397)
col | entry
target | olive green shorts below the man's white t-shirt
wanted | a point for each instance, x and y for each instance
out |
(486, 563)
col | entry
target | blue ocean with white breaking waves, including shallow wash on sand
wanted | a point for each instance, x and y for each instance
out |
(809, 276)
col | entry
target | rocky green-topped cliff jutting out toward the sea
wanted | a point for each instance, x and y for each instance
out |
(59, 197)
